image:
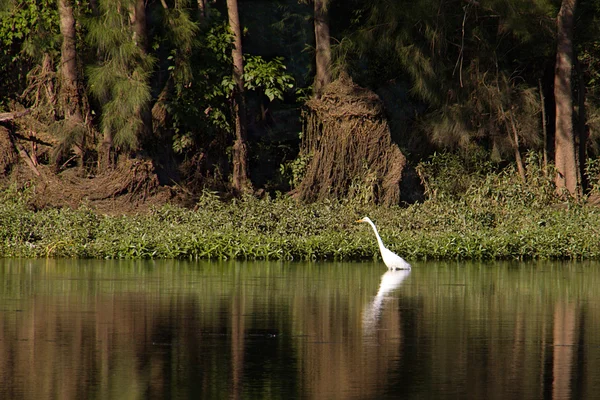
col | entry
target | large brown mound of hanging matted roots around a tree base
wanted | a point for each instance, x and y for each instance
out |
(352, 154)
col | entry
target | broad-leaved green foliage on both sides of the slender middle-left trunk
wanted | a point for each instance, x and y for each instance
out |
(201, 110)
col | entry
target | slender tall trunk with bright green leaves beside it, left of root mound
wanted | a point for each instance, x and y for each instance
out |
(240, 180)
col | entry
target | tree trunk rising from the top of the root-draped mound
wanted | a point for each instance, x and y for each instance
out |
(322, 46)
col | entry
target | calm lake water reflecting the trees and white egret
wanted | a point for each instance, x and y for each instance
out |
(263, 330)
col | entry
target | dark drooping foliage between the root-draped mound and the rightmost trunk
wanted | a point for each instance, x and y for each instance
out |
(471, 70)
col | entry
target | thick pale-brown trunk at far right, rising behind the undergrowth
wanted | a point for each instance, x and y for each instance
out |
(564, 157)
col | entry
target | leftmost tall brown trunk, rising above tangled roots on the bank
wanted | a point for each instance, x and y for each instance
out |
(70, 97)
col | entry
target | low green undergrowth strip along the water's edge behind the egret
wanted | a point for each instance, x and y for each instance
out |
(493, 215)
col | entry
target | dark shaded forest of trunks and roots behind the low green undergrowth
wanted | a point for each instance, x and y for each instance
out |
(160, 101)
